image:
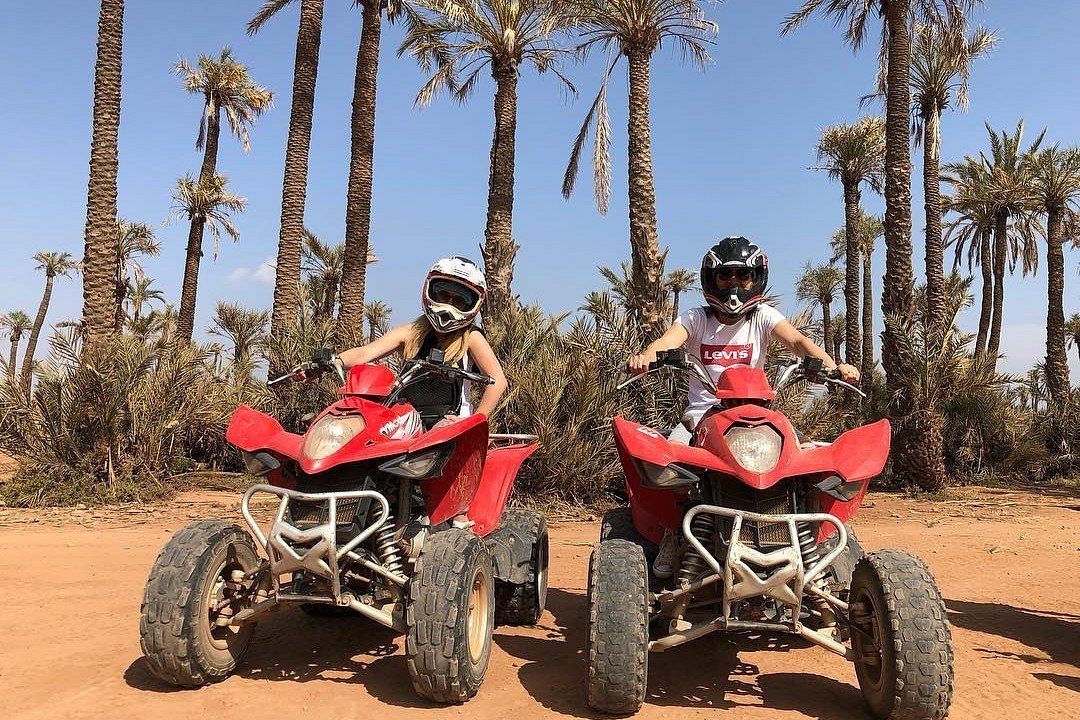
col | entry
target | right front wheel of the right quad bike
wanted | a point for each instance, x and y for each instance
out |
(901, 639)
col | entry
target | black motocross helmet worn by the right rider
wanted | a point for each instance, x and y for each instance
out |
(738, 254)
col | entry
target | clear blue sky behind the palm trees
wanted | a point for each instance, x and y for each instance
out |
(732, 151)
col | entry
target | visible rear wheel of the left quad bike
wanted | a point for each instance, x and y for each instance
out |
(522, 604)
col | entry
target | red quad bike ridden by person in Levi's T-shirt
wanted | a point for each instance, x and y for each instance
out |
(763, 547)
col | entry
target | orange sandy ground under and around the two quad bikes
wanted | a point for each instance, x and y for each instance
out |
(1007, 562)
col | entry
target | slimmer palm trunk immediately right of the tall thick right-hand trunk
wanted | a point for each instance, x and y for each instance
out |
(933, 197)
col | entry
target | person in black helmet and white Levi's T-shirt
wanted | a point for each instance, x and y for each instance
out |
(733, 329)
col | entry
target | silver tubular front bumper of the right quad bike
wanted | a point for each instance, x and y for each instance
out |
(747, 573)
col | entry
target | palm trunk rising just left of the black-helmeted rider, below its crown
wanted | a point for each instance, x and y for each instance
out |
(647, 262)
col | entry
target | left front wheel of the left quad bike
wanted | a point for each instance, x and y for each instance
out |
(195, 587)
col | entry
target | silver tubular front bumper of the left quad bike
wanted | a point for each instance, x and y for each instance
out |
(316, 551)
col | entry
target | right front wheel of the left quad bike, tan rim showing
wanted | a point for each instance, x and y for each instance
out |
(451, 614)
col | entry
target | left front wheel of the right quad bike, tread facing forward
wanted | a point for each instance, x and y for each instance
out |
(617, 647)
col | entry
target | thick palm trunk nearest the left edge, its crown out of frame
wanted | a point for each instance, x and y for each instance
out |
(102, 241)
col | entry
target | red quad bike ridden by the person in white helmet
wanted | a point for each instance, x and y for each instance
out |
(373, 517)
